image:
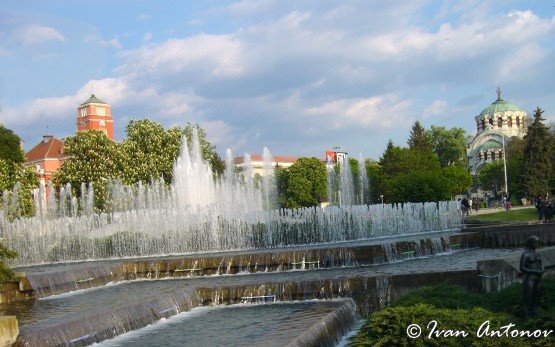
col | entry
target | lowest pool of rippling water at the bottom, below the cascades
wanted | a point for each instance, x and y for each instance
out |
(276, 324)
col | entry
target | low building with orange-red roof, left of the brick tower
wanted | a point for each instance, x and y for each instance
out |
(46, 157)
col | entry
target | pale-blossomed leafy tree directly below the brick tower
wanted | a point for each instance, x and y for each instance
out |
(91, 158)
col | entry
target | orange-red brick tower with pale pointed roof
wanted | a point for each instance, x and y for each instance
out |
(95, 114)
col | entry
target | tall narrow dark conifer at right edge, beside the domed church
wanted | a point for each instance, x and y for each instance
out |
(536, 165)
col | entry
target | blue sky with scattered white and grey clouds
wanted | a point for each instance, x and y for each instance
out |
(298, 77)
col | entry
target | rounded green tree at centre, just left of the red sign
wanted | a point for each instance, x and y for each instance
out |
(303, 184)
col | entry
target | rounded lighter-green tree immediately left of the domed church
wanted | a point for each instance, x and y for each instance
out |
(449, 145)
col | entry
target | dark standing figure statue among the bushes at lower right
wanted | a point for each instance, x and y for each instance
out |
(531, 266)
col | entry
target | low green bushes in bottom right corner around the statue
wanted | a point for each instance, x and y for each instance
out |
(456, 309)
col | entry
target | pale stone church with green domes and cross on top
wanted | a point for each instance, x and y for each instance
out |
(496, 123)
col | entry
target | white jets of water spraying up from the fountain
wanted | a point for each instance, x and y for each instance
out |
(201, 213)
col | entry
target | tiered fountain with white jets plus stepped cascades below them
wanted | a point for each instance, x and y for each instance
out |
(200, 231)
